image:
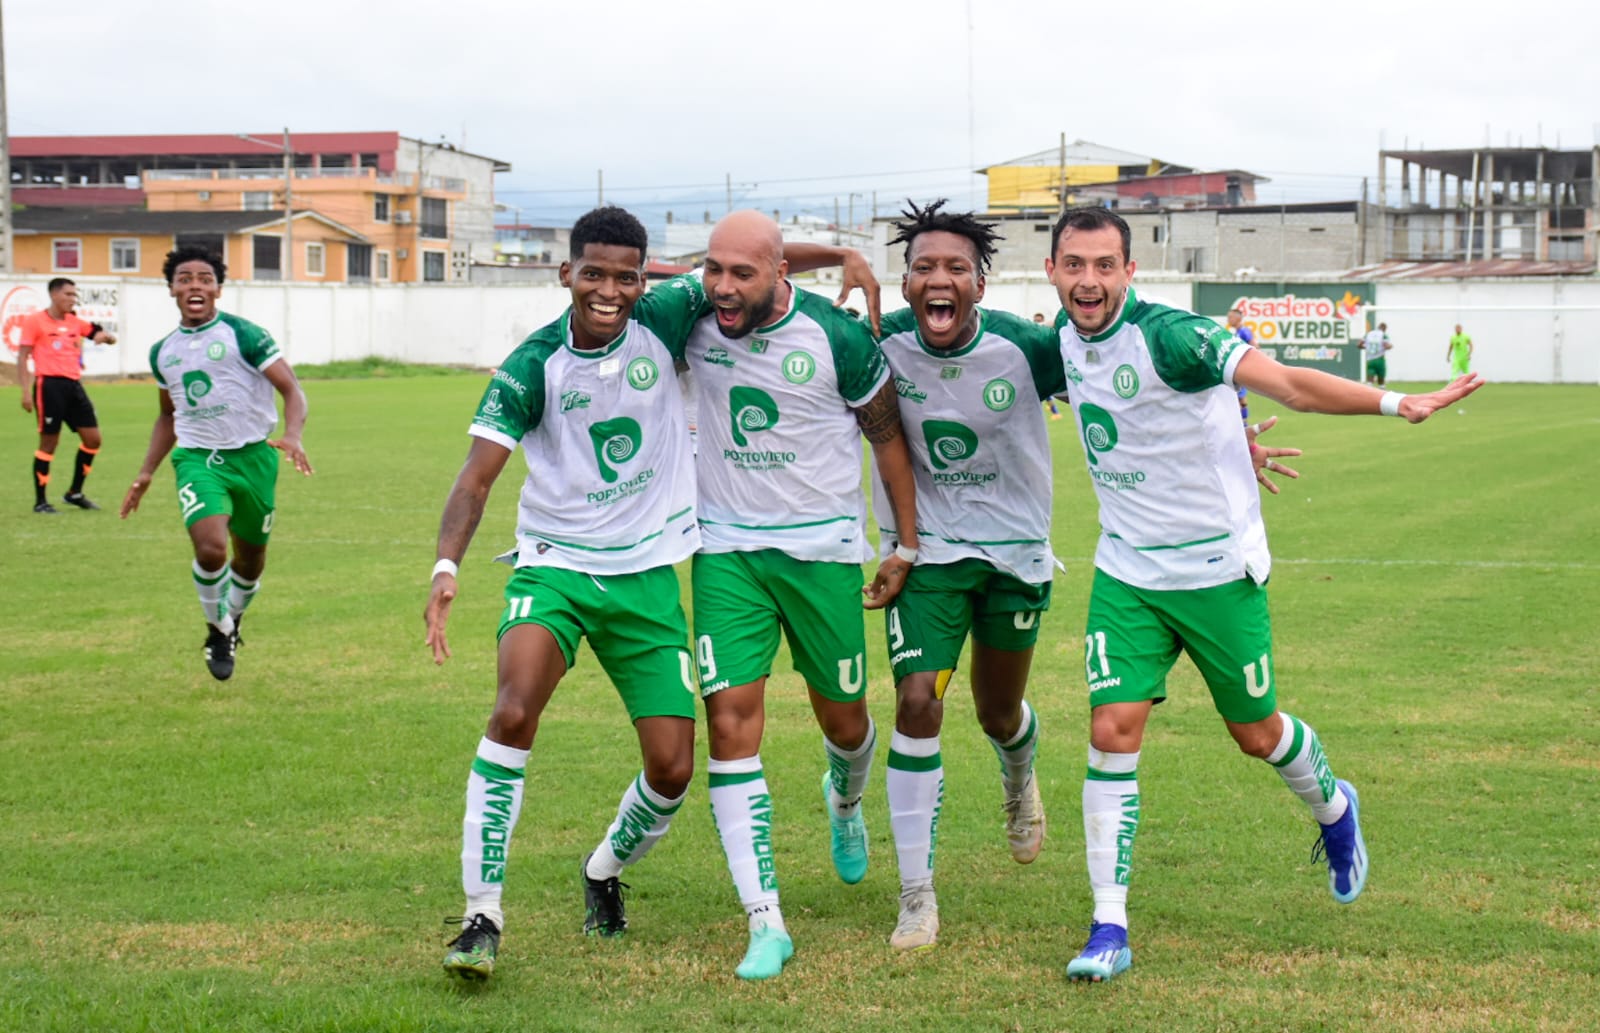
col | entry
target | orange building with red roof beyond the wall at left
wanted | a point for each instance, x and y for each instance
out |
(367, 207)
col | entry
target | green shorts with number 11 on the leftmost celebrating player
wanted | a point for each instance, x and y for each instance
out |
(634, 624)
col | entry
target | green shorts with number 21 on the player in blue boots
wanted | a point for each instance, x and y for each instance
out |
(1134, 639)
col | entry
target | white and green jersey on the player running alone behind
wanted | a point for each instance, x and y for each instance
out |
(214, 375)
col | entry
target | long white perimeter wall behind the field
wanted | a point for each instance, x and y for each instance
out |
(1526, 330)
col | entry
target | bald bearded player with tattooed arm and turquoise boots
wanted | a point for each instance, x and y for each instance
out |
(786, 389)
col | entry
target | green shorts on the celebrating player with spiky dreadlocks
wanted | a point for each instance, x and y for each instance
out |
(940, 605)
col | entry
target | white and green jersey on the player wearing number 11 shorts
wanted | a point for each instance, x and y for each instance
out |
(610, 476)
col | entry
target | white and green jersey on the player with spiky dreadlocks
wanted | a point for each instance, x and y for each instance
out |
(978, 444)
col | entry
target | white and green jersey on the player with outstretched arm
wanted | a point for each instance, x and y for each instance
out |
(1159, 423)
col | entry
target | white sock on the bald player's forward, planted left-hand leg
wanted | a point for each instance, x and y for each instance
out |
(742, 808)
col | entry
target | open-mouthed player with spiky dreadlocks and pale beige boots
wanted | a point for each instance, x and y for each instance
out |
(970, 381)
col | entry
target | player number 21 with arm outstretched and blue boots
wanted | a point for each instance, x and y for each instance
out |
(1183, 554)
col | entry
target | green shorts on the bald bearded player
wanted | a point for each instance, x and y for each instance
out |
(743, 599)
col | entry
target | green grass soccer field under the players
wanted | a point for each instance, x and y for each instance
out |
(278, 853)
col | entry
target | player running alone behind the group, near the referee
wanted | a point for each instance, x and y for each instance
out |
(217, 375)
